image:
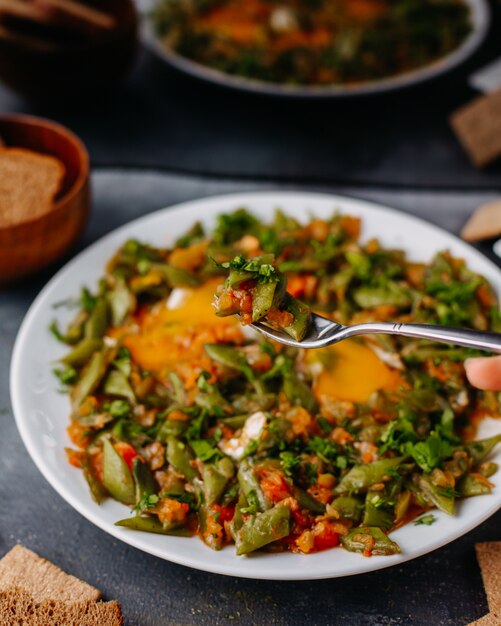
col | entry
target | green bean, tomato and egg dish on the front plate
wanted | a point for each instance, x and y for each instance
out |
(203, 428)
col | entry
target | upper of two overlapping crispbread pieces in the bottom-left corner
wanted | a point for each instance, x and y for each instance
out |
(42, 580)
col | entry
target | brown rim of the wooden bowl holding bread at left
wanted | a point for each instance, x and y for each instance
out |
(83, 174)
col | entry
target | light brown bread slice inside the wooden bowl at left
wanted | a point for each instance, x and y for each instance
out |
(29, 182)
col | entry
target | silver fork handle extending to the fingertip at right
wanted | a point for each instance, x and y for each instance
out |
(443, 334)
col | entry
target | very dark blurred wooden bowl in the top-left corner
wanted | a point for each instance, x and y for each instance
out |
(72, 72)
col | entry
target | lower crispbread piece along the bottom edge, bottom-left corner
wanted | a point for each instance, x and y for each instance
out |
(18, 607)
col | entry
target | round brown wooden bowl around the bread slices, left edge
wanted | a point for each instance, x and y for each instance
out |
(31, 245)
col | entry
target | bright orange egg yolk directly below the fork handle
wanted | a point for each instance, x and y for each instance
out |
(351, 371)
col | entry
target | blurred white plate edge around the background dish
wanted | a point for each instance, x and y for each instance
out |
(480, 15)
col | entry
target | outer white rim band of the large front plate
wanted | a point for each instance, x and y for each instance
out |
(91, 513)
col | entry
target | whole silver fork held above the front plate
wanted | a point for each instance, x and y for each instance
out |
(325, 332)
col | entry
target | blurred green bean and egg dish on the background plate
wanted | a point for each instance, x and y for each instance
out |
(313, 42)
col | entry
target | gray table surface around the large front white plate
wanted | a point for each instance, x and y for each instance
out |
(443, 588)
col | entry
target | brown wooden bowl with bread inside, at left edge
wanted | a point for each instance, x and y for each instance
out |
(44, 193)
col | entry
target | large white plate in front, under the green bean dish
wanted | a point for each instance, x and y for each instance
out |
(42, 413)
